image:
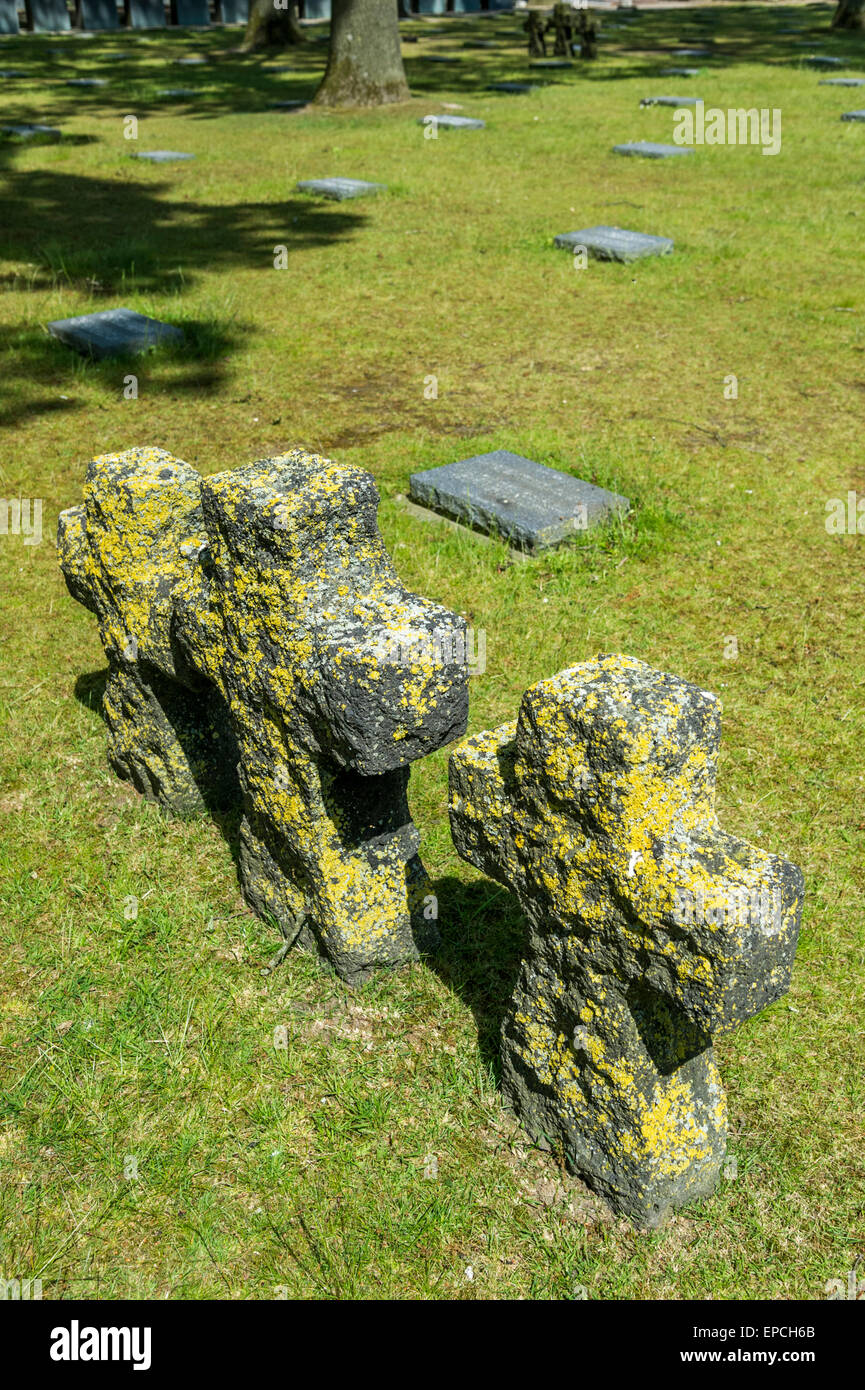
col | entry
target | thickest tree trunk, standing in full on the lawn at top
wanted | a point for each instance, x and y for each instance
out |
(365, 62)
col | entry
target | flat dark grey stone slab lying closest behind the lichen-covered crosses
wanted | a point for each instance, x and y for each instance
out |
(503, 494)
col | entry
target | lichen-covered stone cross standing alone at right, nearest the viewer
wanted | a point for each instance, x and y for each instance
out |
(652, 931)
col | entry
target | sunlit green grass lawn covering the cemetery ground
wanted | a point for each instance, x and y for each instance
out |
(300, 1170)
